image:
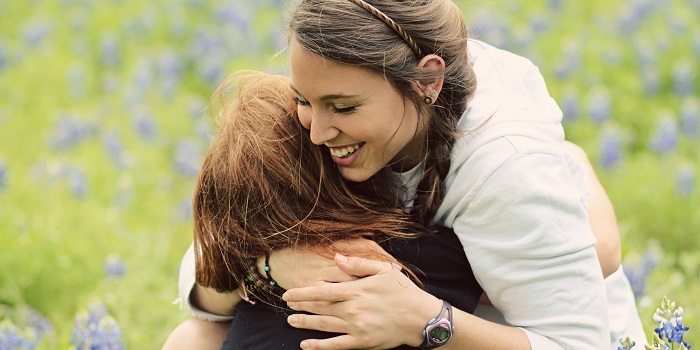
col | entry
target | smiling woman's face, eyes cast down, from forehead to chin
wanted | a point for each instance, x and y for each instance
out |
(363, 120)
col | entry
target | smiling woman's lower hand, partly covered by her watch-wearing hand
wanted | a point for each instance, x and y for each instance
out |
(302, 267)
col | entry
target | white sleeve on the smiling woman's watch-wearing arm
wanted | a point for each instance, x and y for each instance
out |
(525, 231)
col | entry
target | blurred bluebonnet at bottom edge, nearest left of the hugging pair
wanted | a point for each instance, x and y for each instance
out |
(96, 329)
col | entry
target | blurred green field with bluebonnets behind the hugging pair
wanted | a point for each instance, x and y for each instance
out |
(103, 124)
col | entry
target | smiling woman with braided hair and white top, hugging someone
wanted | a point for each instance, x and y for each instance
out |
(467, 137)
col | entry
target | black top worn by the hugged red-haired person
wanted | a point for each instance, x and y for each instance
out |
(437, 259)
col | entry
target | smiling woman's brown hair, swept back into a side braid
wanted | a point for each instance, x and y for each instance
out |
(343, 31)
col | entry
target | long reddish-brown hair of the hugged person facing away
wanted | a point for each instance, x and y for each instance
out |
(263, 186)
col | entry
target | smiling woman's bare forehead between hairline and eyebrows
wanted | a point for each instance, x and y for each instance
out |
(312, 74)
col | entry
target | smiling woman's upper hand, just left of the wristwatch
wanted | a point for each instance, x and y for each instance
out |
(382, 309)
